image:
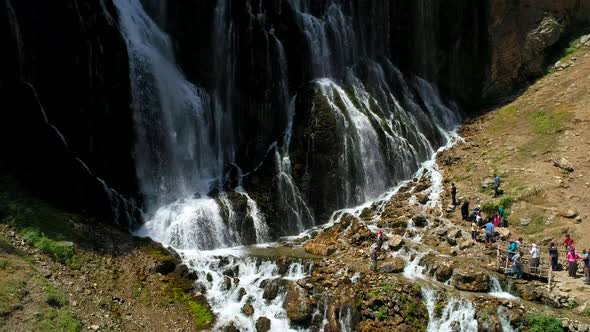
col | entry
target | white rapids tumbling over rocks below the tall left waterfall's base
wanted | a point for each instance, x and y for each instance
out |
(228, 294)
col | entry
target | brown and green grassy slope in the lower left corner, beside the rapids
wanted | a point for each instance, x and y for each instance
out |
(63, 272)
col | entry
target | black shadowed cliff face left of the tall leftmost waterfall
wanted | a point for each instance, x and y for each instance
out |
(66, 124)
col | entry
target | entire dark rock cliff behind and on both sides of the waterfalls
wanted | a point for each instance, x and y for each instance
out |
(75, 62)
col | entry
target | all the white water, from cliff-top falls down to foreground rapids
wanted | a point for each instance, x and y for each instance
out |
(388, 125)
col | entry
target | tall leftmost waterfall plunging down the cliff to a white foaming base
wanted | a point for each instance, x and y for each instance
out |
(181, 146)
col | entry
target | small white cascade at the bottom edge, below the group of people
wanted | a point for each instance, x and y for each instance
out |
(457, 315)
